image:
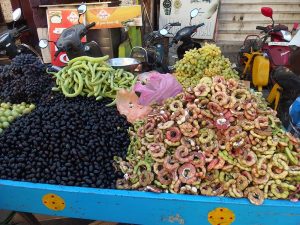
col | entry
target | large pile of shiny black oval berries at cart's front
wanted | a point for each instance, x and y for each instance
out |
(66, 142)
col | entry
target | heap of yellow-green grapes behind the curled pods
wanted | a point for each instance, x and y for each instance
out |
(205, 61)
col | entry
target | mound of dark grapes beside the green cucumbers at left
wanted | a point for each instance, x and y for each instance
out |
(24, 80)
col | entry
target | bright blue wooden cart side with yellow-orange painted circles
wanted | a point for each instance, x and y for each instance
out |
(141, 207)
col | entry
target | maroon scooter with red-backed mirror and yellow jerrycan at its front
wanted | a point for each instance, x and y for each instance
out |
(262, 57)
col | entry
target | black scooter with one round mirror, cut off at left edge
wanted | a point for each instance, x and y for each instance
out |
(8, 39)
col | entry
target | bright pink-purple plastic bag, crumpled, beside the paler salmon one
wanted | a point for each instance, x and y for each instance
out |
(155, 88)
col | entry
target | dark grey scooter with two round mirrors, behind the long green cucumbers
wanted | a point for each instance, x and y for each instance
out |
(70, 40)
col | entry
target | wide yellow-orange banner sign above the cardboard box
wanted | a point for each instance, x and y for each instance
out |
(112, 17)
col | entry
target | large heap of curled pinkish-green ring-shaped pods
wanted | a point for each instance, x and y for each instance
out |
(218, 138)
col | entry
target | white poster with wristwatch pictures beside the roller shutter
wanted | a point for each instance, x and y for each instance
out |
(179, 11)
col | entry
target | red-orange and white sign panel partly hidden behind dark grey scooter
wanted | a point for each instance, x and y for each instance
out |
(58, 20)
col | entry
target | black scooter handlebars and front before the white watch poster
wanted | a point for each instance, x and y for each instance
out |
(185, 34)
